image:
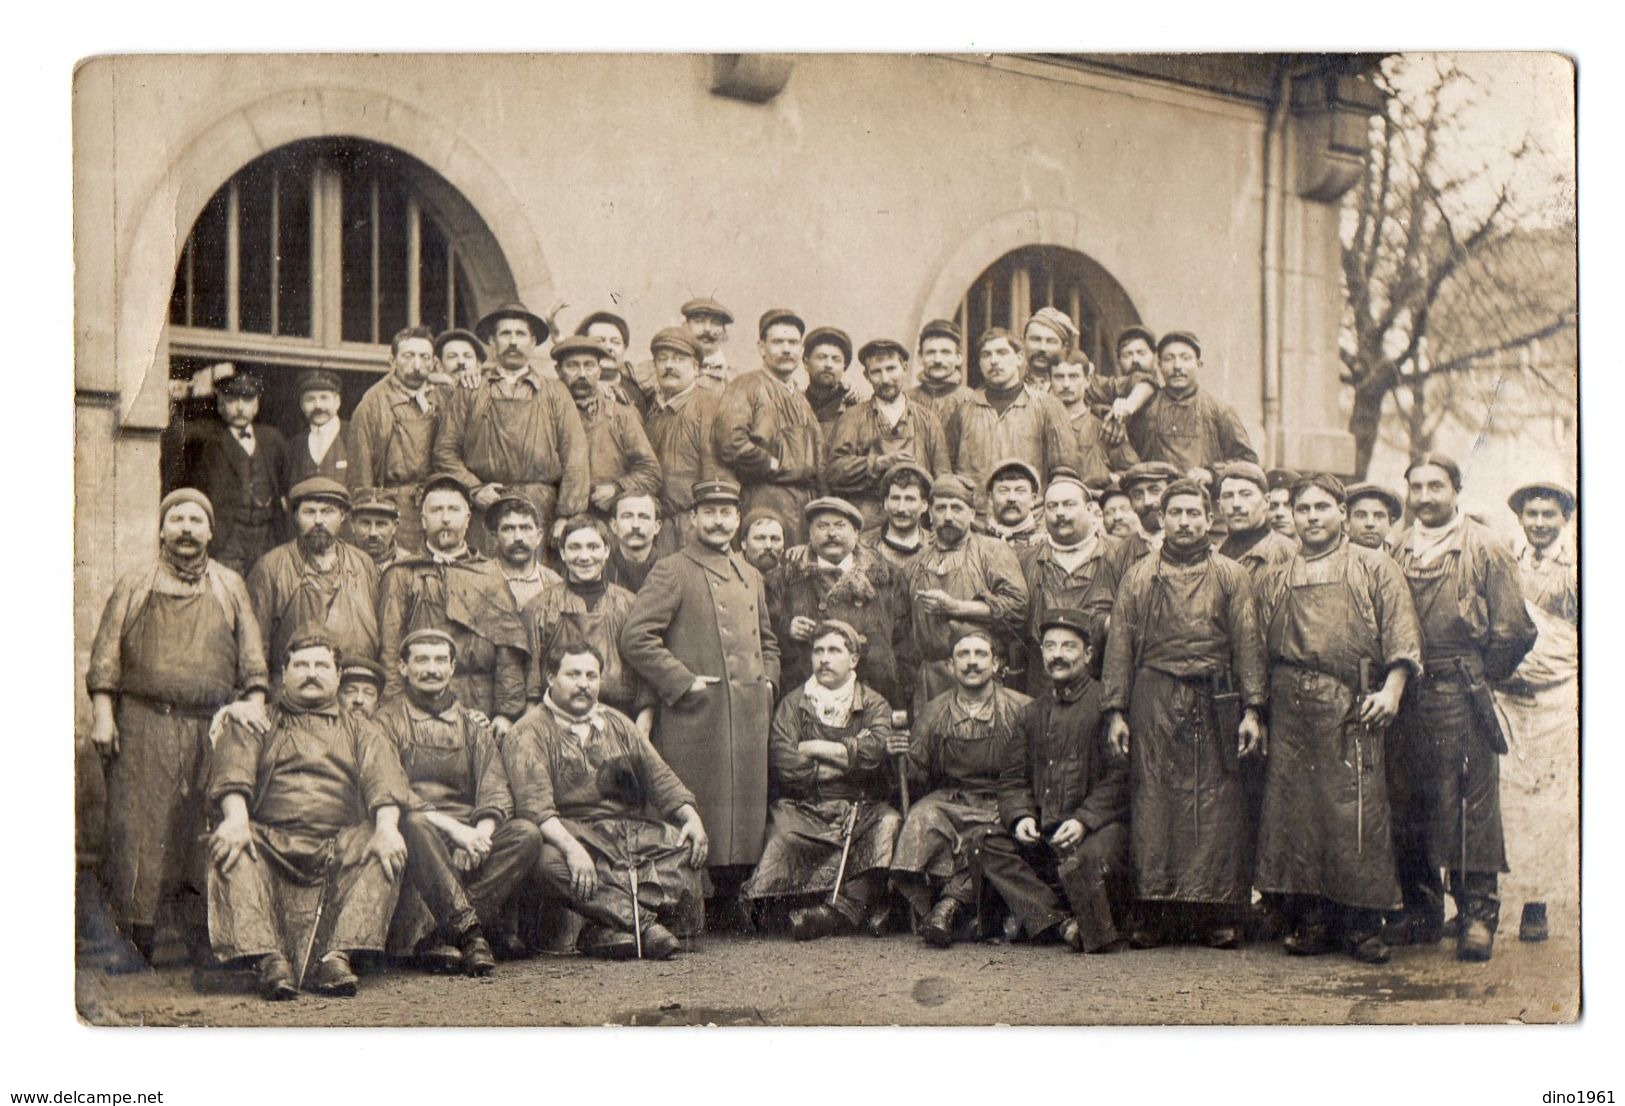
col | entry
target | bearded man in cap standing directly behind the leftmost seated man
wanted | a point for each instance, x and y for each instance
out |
(316, 579)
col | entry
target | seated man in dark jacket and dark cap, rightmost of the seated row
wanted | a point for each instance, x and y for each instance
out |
(1064, 795)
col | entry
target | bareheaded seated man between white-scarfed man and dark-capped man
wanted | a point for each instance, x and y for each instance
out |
(953, 837)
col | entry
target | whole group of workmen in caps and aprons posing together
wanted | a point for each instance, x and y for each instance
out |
(602, 659)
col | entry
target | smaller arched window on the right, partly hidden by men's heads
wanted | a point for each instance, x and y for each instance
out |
(1034, 277)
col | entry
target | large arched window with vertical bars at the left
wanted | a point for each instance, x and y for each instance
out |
(314, 256)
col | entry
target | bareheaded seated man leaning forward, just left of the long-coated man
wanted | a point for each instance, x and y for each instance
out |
(623, 840)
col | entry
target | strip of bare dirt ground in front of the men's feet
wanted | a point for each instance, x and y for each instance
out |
(891, 982)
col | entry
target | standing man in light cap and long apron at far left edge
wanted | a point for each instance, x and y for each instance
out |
(178, 641)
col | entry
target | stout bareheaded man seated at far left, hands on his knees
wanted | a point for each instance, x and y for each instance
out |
(300, 878)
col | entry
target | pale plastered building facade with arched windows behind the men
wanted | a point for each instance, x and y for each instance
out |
(295, 212)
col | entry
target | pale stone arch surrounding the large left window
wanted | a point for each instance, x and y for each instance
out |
(147, 256)
